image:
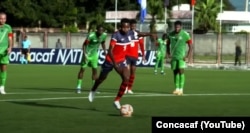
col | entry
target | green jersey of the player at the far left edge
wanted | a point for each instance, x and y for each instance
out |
(5, 30)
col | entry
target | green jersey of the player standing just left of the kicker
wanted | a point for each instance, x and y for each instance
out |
(94, 43)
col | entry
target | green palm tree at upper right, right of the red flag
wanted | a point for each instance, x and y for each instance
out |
(206, 13)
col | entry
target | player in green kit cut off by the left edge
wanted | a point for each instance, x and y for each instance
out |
(6, 43)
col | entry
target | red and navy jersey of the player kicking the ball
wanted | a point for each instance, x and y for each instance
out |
(120, 42)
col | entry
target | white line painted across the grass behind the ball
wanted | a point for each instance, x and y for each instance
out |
(135, 95)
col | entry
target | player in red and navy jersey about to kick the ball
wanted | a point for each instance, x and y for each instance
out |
(116, 58)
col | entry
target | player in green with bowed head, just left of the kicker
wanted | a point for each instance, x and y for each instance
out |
(90, 54)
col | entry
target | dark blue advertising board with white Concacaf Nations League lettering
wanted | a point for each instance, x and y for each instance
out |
(69, 57)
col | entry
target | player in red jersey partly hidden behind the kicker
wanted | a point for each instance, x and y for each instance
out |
(132, 54)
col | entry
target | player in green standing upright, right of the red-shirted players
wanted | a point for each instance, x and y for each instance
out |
(176, 50)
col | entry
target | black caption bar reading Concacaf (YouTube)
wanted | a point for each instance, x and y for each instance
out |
(201, 124)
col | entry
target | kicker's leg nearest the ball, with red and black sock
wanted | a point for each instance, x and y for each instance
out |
(125, 79)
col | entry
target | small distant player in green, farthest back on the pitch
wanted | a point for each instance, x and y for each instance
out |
(161, 53)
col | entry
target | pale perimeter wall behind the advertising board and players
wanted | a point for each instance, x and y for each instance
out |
(208, 48)
